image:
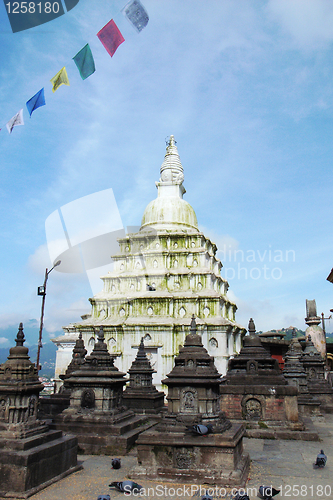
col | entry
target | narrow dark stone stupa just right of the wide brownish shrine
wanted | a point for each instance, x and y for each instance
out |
(295, 375)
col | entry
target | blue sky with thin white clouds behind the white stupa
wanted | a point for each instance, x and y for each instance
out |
(246, 89)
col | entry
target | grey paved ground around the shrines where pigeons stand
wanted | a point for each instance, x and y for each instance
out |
(283, 464)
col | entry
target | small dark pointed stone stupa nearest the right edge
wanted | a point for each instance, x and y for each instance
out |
(315, 371)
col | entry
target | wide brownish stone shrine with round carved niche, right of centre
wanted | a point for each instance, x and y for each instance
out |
(254, 390)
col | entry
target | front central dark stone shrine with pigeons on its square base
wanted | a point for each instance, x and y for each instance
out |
(169, 451)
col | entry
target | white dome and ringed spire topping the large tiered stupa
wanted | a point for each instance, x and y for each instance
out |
(169, 210)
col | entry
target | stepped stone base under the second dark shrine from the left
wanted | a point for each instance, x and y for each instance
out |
(100, 433)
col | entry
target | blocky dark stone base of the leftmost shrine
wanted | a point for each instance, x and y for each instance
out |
(30, 464)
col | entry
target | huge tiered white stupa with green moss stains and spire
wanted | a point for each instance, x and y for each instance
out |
(163, 274)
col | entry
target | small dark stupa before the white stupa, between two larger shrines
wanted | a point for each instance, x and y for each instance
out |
(141, 395)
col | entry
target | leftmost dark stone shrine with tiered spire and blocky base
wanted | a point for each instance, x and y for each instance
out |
(31, 455)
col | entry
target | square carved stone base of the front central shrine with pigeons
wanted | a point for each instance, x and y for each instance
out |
(178, 457)
